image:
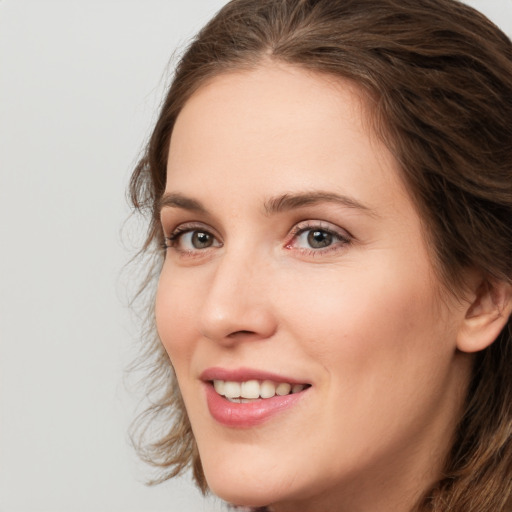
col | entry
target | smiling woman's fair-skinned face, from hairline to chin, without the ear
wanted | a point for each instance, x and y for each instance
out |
(297, 277)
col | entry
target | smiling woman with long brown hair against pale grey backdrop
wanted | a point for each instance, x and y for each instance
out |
(331, 184)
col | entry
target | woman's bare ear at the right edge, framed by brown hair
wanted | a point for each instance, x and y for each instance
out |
(487, 314)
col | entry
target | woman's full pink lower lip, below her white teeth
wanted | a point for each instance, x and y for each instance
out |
(249, 414)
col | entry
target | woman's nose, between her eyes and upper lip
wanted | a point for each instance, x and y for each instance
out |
(238, 304)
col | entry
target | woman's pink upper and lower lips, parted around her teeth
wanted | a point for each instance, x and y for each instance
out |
(250, 414)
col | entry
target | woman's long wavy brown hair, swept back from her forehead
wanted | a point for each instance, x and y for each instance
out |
(438, 78)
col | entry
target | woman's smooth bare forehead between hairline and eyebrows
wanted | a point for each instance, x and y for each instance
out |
(279, 128)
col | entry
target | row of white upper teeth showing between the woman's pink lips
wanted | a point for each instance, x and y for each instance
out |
(247, 391)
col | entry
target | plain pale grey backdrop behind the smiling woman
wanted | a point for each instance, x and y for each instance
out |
(80, 83)
